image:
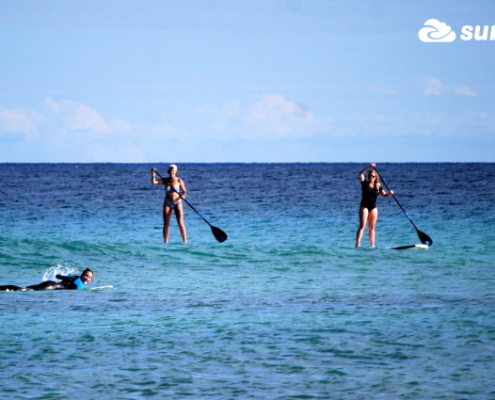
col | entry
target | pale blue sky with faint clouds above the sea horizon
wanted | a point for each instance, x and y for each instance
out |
(145, 81)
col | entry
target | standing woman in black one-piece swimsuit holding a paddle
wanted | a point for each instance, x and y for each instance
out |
(368, 213)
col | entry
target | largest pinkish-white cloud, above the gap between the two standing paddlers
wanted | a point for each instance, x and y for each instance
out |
(273, 116)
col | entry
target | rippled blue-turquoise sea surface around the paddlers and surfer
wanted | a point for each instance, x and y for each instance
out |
(286, 308)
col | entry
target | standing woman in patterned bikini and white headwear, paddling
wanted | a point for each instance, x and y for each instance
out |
(173, 200)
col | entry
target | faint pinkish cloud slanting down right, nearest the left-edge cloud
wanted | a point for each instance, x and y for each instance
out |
(78, 116)
